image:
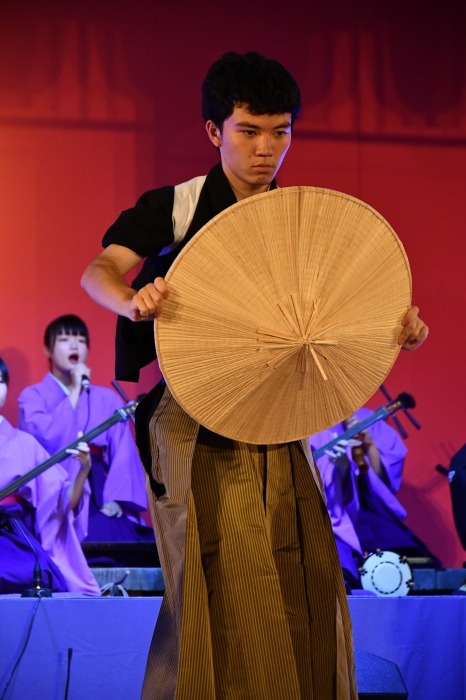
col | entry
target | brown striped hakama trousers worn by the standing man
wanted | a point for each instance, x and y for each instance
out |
(255, 605)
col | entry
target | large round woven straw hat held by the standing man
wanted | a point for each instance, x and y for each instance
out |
(284, 314)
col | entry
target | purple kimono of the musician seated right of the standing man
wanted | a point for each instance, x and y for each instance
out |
(344, 506)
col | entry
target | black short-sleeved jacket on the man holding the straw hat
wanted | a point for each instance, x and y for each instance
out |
(148, 230)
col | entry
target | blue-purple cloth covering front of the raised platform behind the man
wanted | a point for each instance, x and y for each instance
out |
(425, 636)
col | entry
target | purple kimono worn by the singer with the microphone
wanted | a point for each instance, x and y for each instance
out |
(46, 412)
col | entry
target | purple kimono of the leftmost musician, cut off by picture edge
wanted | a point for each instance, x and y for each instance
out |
(43, 510)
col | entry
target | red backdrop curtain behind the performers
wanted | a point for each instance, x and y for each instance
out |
(100, 102)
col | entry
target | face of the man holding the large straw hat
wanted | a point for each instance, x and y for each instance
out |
(252, 147)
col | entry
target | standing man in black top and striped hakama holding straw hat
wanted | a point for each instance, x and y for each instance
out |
(255, 605)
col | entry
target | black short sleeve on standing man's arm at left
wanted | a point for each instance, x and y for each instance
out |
(147, 228)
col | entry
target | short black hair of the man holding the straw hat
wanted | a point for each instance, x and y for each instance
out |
(261, 84)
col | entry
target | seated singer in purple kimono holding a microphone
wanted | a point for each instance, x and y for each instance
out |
(57, 408)
